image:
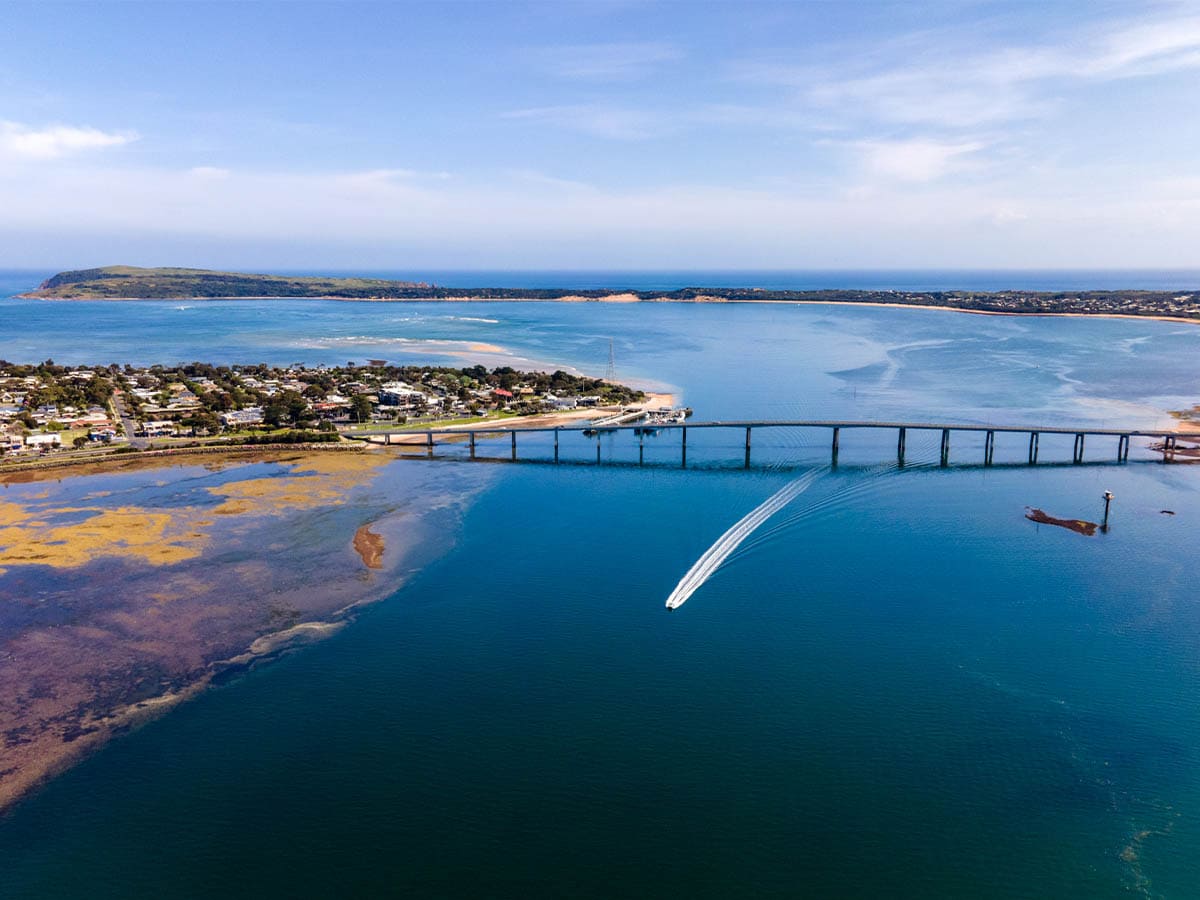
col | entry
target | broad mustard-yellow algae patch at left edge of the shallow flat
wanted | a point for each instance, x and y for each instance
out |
(155, 538)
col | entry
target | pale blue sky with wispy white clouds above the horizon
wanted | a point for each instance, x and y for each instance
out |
(601, 135)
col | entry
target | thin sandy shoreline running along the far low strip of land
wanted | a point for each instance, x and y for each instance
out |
(627, 299)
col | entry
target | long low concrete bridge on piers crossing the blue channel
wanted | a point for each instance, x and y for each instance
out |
(429, 439)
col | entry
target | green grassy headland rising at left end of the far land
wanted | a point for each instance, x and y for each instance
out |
(129, 281)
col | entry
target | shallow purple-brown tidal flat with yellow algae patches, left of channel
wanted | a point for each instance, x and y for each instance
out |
(131, 590)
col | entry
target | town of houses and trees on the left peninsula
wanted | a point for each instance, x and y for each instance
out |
(49, 409)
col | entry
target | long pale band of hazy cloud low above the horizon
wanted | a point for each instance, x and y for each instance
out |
(433, 223)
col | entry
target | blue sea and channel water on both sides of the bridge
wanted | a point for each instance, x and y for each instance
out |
(898, 687)
